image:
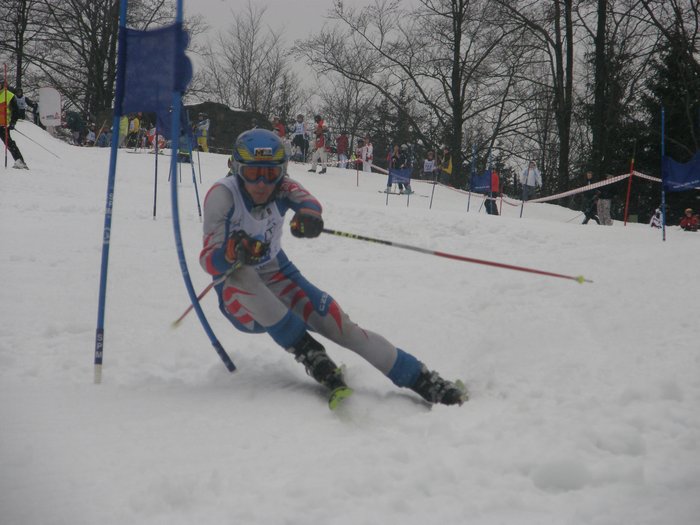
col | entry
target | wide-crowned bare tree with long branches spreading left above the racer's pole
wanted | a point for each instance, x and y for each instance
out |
(444, 55)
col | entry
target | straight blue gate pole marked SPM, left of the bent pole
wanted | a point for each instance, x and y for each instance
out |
(106, 233)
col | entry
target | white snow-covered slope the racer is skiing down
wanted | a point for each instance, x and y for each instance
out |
(585, 398)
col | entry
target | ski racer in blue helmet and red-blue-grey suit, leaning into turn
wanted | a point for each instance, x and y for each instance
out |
(263, 291)
